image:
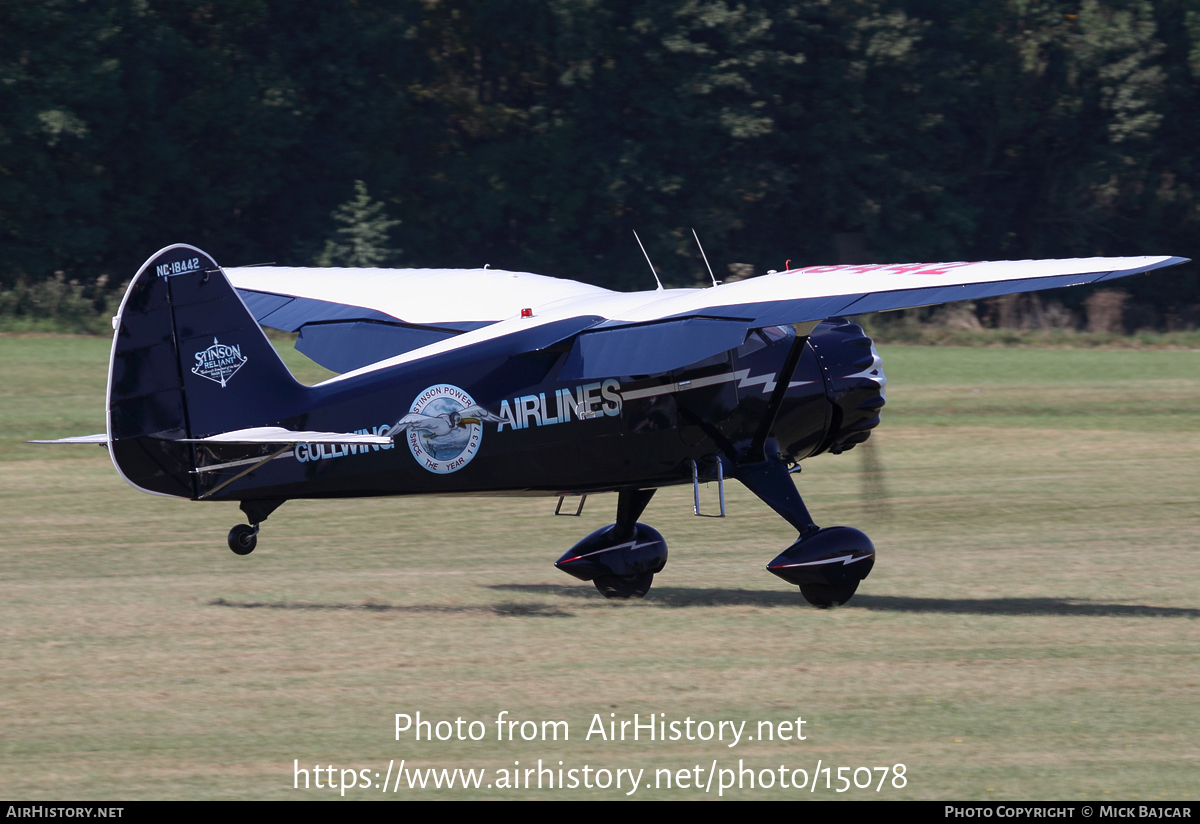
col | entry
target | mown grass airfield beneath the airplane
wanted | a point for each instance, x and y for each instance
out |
(1029, 631)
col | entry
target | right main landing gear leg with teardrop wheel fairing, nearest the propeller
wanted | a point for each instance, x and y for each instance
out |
(826, 564)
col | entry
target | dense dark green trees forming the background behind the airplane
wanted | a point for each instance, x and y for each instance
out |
(538, 135)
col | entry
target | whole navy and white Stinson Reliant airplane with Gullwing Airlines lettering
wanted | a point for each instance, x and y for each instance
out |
(477, 382)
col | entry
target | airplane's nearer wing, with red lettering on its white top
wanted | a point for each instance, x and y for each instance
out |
(646, 333)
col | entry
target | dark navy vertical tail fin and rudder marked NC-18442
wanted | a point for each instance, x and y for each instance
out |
(189, 362)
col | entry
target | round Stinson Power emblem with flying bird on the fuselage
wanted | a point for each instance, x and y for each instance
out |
(445, 429)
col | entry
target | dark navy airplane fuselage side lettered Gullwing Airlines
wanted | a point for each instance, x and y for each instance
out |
(547, 437)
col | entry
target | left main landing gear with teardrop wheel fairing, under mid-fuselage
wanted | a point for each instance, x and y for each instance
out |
(620, 560)
